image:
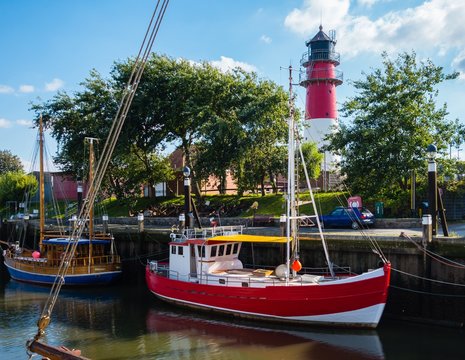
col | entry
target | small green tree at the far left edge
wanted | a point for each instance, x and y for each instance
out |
(15, 185)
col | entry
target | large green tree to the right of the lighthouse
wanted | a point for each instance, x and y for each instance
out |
(394, 117)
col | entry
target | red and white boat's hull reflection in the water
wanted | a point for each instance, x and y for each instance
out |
(219, 334)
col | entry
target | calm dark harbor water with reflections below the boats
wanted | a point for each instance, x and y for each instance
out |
(127, 322)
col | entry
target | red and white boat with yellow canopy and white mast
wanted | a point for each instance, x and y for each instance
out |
(205, 272)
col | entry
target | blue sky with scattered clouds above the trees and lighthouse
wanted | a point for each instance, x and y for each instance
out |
(51, 45)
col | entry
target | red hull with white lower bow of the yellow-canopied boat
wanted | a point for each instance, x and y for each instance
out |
(307, 304)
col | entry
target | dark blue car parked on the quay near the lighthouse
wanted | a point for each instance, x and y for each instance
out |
(348, 217)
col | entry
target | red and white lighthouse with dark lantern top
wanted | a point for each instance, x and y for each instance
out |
(320, 78)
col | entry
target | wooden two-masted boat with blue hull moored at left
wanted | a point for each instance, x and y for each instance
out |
(94, 262)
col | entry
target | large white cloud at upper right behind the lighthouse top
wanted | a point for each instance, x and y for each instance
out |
(435, 25)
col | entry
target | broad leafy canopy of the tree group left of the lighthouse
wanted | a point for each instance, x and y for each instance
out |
(226, 117)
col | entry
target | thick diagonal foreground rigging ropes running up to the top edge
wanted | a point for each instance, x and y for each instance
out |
(128, 95)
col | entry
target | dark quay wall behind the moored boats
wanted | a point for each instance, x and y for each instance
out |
(412, 295)
